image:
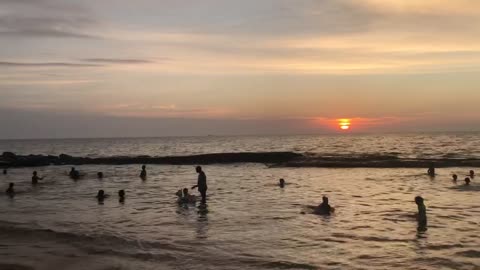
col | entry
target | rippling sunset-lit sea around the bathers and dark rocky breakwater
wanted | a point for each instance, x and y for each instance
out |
(249, 222)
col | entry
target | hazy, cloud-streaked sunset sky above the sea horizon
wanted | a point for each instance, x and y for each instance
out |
(121, 68)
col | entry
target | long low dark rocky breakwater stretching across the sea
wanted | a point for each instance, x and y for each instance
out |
(273, 159)
